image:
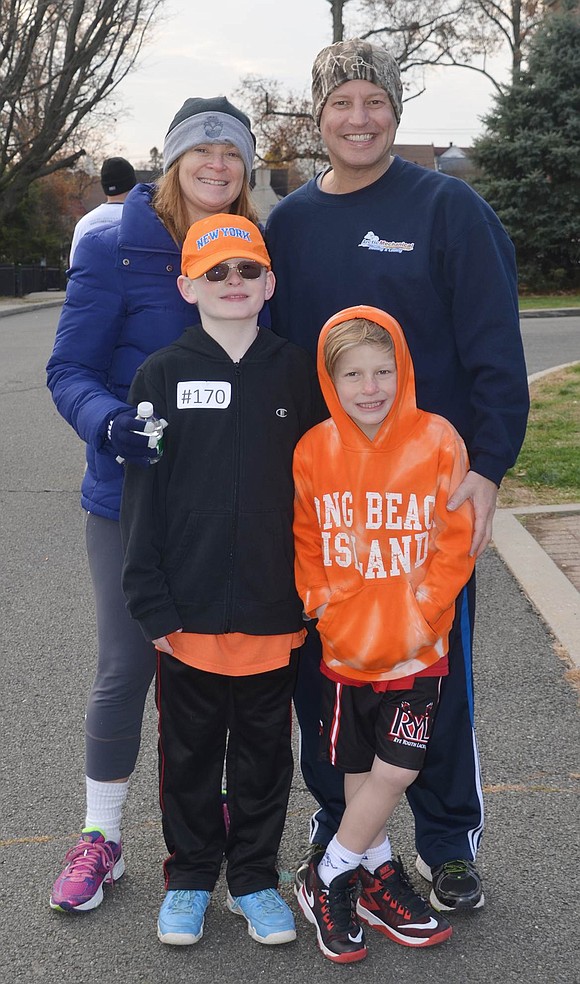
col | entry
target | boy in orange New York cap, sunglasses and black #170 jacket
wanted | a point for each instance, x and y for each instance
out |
(209, 577)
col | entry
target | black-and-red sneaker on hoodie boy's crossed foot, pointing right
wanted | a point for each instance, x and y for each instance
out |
(389, 903)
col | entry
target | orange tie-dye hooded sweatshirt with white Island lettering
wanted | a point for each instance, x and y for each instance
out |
(373, 536)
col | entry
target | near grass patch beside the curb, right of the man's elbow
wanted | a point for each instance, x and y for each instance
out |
(547, 471)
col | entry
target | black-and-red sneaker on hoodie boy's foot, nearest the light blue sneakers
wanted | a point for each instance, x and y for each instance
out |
(333, 911)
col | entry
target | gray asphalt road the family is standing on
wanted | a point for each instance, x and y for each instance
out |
(528, 726)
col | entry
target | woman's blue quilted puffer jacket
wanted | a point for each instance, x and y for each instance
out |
(122, 304)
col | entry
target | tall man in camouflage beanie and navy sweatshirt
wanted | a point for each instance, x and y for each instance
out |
(375, 229)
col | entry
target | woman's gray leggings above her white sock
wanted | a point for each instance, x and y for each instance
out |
(126, 663)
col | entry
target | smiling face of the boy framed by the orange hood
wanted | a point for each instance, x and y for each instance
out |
(365, 379)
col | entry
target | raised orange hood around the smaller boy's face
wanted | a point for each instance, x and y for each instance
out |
(403, 416)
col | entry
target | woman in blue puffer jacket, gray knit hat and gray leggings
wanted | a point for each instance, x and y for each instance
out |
(122, 304)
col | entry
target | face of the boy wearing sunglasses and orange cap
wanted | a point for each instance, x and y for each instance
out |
(232, 299)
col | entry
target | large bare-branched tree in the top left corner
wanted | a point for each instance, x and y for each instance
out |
(58, 62)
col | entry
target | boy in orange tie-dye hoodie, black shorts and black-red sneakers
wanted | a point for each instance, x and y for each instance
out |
(379, 561)
